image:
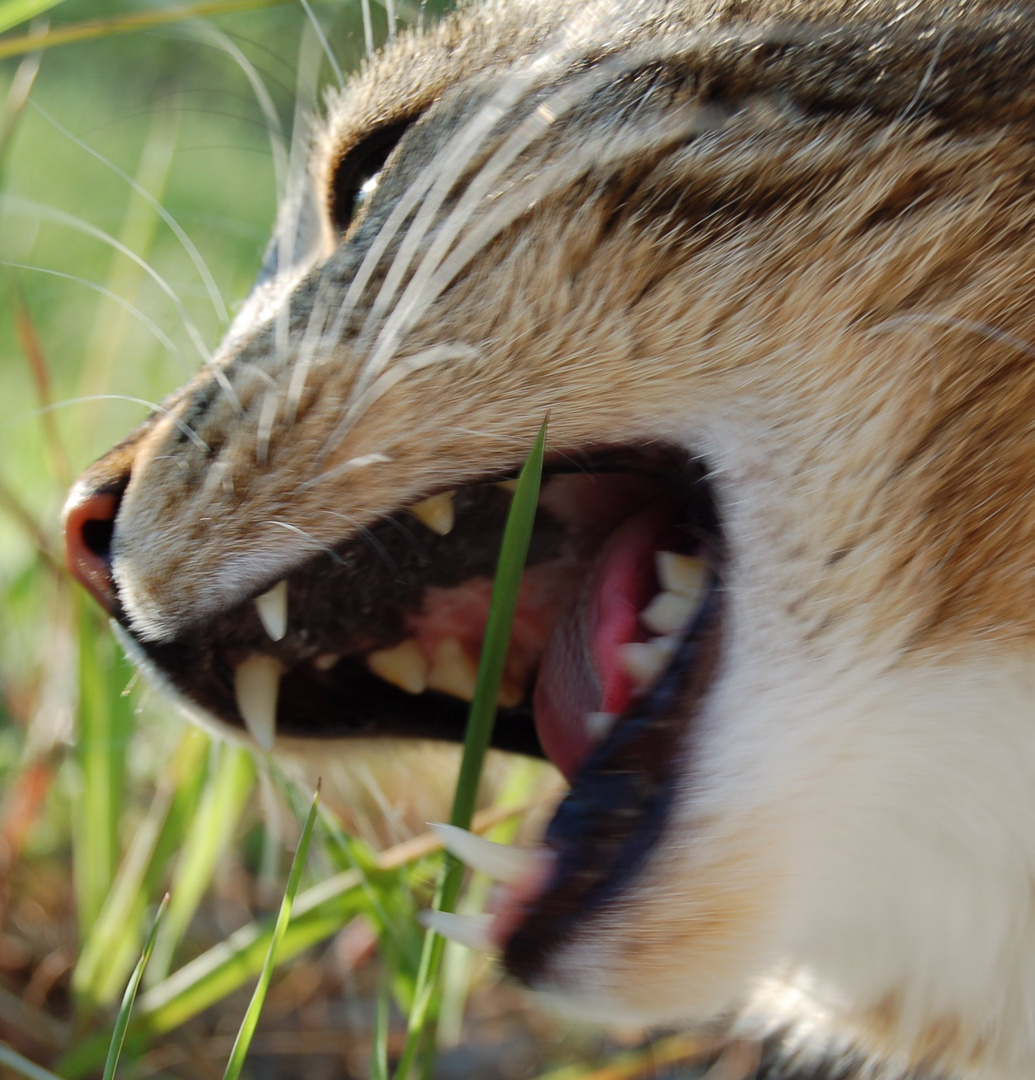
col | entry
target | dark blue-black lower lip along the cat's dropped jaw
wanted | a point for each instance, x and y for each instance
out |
(620, 801)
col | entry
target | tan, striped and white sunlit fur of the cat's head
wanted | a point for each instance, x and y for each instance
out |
(799, 239)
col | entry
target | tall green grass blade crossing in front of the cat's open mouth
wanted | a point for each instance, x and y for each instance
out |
(513, 556)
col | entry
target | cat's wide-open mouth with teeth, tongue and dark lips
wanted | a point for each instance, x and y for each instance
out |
(615, 639)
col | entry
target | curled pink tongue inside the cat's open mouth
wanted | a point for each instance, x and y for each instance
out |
(581, 672)
